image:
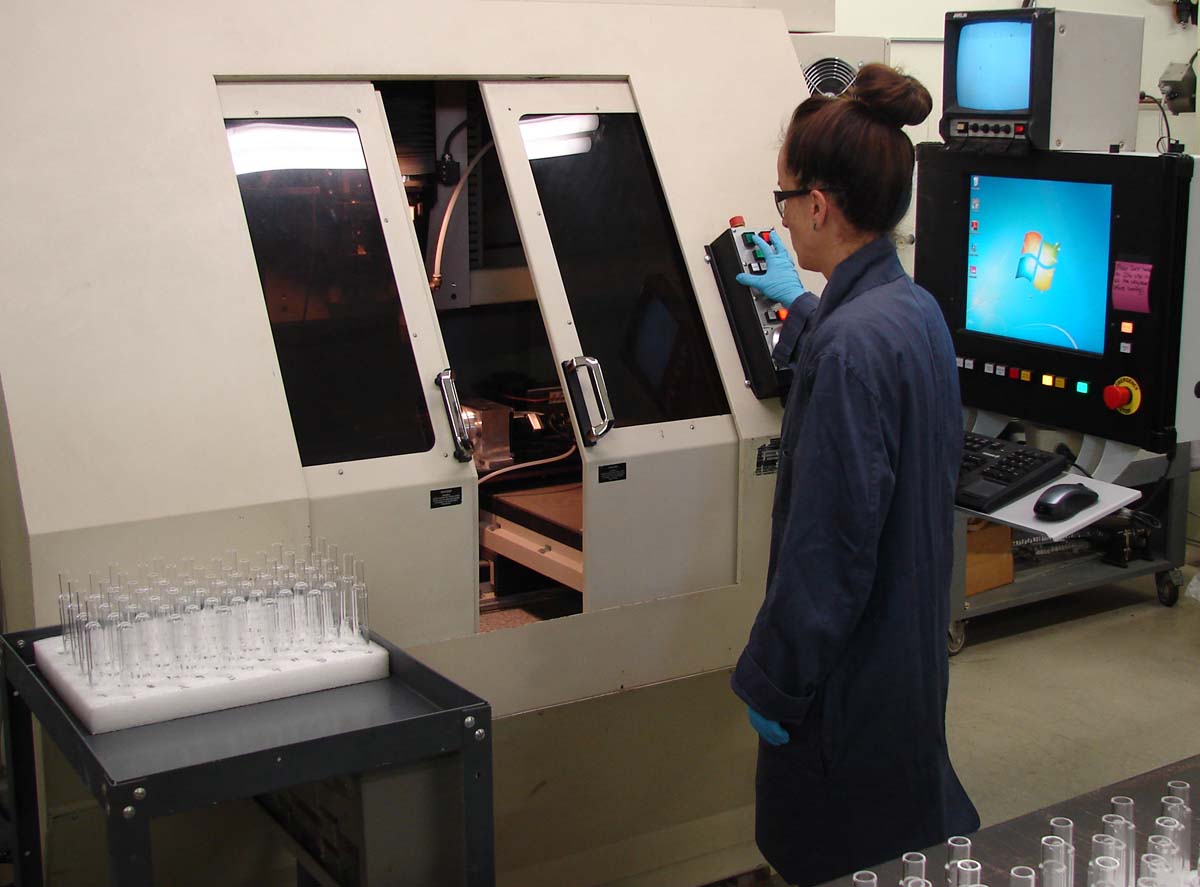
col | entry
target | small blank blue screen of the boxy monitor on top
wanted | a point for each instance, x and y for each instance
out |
(994, 65)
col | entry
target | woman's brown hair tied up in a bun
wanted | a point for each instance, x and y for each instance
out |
(854, 146)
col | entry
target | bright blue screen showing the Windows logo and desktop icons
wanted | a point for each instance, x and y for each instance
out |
(1039, 261)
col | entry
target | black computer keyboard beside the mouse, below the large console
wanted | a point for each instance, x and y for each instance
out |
(995, 472)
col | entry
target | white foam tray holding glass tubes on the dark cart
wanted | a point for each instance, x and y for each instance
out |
(111, 709)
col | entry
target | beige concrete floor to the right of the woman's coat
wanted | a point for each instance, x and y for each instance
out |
(1057, 699)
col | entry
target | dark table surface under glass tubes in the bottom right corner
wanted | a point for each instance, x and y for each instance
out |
(1018, 842)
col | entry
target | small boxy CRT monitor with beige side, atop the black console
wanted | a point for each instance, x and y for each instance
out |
(1030, 77)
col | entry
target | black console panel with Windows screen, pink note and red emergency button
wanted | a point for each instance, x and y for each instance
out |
(1061, 279)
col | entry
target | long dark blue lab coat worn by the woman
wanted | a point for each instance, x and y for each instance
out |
(849, 650)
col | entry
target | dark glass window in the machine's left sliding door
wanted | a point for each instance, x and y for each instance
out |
(340, 334)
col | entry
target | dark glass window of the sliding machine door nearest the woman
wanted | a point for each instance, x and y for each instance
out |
(626, 280)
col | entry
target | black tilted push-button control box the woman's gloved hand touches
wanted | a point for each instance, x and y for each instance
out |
(754, 319)
